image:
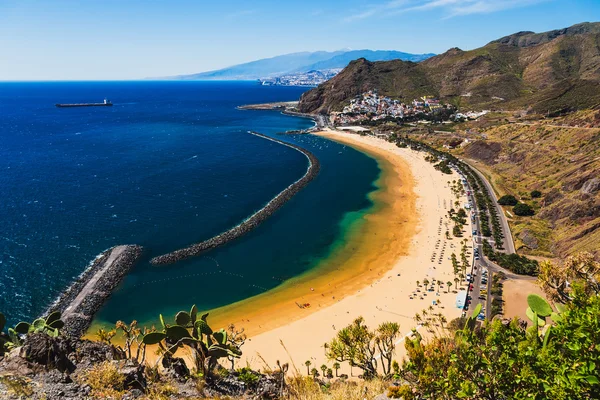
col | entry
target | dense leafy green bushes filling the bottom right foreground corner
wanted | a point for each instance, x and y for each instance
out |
(505, 360)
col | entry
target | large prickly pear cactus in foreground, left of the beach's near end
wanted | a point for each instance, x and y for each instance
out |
(195, 333)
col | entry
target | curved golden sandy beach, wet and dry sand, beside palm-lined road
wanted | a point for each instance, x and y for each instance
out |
(415, 199)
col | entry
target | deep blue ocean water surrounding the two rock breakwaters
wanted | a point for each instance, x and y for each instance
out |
(170, 164)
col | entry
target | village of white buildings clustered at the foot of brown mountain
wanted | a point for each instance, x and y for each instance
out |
(370, 107)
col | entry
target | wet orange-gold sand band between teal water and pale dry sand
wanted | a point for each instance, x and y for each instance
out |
(352, 264)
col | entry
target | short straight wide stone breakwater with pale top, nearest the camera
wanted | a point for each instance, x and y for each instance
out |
(87, 294)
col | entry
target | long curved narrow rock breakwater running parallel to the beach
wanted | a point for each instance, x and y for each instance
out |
(255, 219)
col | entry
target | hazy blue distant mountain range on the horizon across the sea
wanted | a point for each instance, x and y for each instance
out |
(300, 63)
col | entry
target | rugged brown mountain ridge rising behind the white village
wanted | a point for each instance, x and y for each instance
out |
(549, 72)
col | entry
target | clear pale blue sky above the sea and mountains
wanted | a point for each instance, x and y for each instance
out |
(136, 39)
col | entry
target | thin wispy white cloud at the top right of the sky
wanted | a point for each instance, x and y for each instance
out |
(451, 8)
